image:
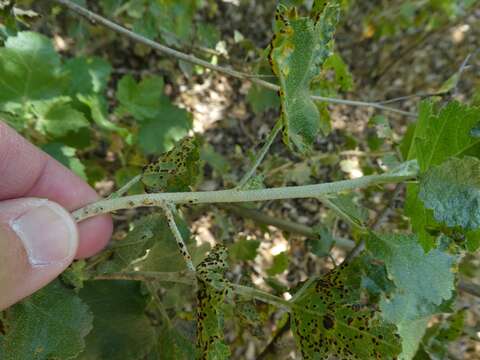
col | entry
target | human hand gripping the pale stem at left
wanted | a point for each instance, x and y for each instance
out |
(38, 237)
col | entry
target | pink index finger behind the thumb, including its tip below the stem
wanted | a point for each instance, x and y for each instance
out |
(27, 171)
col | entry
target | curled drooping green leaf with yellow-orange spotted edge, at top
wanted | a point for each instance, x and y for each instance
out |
(299, 49)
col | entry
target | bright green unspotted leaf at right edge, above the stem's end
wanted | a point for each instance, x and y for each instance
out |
(446, 134)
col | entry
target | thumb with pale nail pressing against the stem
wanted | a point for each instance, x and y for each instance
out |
(38, 240)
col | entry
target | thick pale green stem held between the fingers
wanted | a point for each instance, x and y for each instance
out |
(232, 196)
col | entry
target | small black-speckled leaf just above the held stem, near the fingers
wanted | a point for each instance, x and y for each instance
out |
(176, 170)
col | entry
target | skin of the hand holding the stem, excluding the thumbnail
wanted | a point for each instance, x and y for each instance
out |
(28, 175)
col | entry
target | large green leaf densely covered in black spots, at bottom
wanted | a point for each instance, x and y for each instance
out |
(329, 320)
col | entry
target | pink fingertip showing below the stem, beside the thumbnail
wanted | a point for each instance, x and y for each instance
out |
(94, 235)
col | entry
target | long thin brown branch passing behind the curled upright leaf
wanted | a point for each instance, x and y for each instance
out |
(95, 18)
